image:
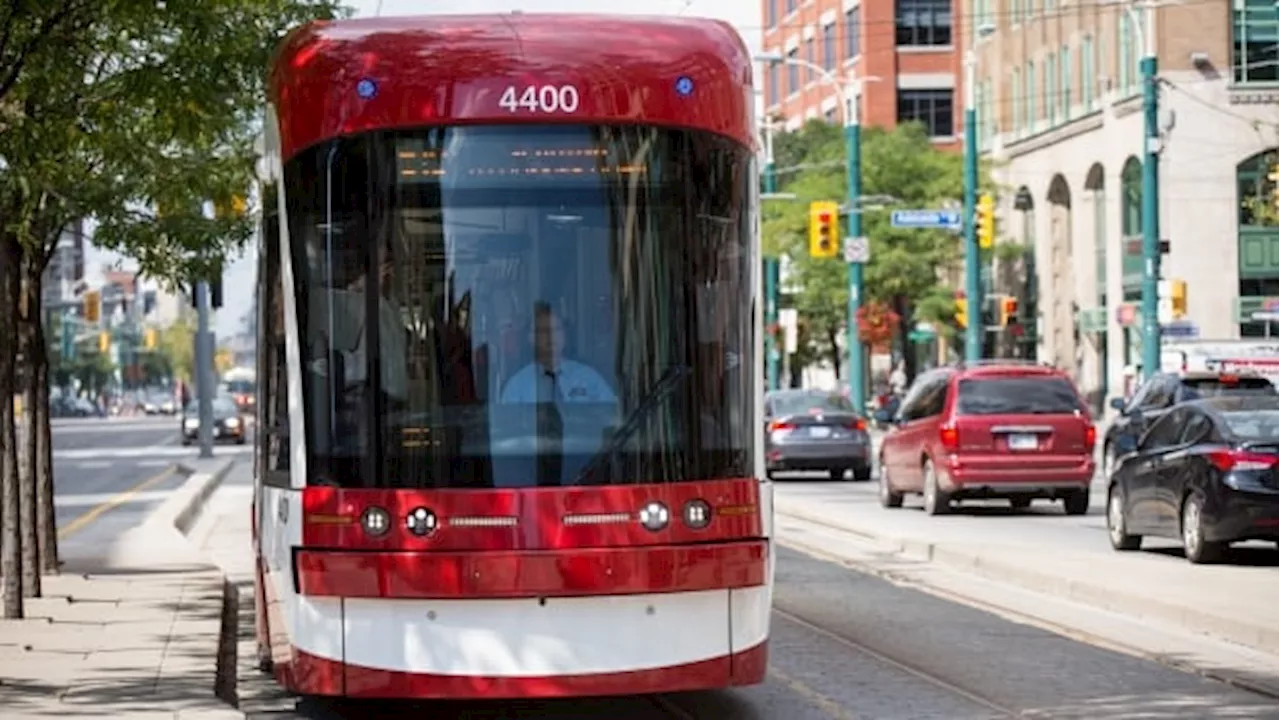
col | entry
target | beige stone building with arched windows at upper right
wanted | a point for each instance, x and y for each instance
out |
(1060, 113)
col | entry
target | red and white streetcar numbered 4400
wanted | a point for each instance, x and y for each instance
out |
(509, 385)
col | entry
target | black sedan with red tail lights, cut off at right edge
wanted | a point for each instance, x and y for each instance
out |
(1206, 473)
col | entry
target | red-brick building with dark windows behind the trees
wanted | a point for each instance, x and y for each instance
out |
(909, 48)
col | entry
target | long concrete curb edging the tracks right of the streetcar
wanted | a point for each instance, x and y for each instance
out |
(1259, 636)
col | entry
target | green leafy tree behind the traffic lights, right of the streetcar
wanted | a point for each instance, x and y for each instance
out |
(903, 274)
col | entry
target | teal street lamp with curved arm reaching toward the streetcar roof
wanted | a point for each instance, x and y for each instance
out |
(849, 95)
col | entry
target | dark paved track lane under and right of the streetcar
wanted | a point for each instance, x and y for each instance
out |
(849, 646)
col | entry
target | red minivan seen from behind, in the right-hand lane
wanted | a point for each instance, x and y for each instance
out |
(995, 430)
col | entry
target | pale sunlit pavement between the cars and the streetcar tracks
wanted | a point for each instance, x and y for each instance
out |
(1229, 603)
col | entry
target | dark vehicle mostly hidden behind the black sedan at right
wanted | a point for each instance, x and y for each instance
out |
(1164, 391)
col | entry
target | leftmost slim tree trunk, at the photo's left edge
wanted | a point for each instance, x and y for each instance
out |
(11, 537)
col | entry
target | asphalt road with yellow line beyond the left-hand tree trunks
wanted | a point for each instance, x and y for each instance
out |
(111, 473)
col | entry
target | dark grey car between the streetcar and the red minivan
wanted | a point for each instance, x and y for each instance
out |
(810, 430)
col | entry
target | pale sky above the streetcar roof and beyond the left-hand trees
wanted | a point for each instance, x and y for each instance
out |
(240, 275)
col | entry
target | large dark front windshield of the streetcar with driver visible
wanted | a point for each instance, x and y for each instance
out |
(525, 306)
